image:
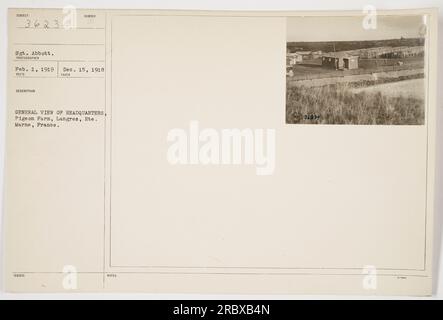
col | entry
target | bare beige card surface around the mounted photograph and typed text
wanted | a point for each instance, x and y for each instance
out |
(103, 198)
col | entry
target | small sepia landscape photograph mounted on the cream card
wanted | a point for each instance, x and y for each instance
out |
(356, 70)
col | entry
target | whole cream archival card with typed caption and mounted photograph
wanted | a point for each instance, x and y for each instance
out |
(220, 152)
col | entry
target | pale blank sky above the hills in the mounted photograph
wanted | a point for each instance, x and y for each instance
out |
(351, 28)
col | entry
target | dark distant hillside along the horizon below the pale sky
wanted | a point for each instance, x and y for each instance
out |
(327, 46)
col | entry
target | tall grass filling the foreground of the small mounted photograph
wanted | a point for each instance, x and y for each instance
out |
(337, 104)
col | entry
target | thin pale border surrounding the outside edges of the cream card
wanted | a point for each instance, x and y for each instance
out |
(274, 5)
